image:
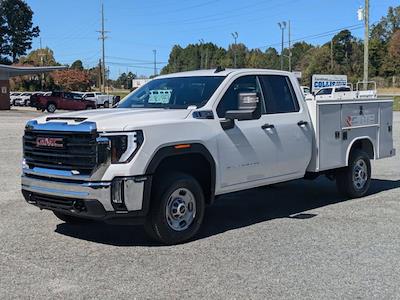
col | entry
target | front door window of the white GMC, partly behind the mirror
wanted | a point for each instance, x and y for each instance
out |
(245, 84)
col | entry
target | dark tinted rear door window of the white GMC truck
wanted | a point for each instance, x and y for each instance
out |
(279, 95)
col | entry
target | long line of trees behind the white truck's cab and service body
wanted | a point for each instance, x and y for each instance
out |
(342, 55)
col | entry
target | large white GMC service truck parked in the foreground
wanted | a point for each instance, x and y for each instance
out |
(159, 161)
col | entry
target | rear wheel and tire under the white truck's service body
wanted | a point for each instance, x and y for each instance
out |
(354, 180)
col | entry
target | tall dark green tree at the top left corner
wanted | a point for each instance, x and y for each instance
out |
(18, 28)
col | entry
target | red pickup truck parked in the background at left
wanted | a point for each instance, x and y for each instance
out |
(61, 100)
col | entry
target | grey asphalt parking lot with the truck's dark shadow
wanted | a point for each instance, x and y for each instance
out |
(292, 240)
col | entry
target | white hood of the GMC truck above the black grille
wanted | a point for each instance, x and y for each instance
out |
(117, 119)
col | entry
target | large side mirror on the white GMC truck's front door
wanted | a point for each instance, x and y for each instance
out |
(249, 108)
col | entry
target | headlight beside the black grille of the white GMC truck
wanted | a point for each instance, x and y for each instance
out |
(125, 146)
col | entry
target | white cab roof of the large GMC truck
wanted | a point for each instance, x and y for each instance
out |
(226, 72)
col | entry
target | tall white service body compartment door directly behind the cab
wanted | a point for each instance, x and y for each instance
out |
(330, 142)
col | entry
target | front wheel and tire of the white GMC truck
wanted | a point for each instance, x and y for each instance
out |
(177, 209)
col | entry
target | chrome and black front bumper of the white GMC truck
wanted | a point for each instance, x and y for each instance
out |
(83, 199)
